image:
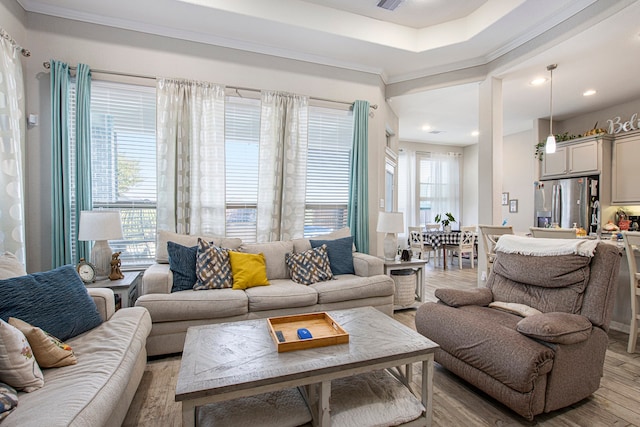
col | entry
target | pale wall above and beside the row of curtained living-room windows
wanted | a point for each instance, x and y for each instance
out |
(131, 52)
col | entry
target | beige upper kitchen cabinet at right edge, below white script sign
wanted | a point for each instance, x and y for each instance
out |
(626, 169)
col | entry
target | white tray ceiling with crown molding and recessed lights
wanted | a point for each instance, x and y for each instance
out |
(430, 53)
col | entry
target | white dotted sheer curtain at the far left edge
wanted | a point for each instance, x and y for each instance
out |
(11, 141)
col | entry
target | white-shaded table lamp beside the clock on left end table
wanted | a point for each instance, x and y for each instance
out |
(100, 226)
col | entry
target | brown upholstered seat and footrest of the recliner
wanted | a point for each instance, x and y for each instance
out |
(479, 337)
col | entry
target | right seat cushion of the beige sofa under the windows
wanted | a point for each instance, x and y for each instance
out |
(349, 287)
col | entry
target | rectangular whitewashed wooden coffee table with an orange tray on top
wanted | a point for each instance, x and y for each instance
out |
(231, 360)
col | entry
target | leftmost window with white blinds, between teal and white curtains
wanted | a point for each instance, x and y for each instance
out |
(123, 163)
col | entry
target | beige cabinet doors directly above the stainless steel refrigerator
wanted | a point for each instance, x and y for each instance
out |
(578, 157)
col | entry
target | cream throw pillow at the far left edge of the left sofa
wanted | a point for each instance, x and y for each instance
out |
(18, 367)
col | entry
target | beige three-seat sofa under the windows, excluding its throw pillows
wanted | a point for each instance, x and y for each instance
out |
(173, 313)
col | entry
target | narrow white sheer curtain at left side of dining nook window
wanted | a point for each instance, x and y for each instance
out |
(408, 191)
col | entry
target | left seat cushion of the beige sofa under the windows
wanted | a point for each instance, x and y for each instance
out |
(191, 305)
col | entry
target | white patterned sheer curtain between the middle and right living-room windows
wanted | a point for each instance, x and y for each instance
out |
(283, 165)
